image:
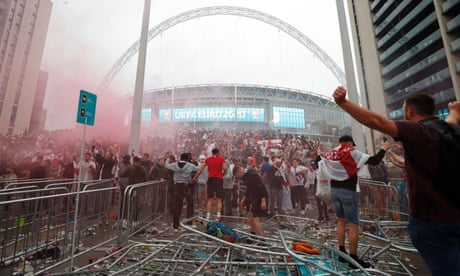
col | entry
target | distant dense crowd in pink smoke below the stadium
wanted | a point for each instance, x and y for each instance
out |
(61, 147)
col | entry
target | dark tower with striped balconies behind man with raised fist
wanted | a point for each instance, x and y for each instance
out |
(403, 48)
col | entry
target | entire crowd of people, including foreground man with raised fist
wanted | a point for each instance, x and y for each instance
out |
(265, 172)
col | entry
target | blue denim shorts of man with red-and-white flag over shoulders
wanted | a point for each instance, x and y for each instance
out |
(345, 204)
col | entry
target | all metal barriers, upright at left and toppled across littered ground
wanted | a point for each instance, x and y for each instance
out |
(36, 232)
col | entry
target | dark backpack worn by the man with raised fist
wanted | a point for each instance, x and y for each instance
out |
(448, 182)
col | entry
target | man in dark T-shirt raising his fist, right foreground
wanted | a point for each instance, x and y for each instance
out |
(434, 223)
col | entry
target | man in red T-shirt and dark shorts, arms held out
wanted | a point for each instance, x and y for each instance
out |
(217, 167)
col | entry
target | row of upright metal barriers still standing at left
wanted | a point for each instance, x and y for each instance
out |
(36, 224)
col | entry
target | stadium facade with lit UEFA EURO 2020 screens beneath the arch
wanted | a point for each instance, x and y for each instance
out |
(244, 107)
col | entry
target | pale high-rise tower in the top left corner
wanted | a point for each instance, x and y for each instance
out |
(23, 29)
